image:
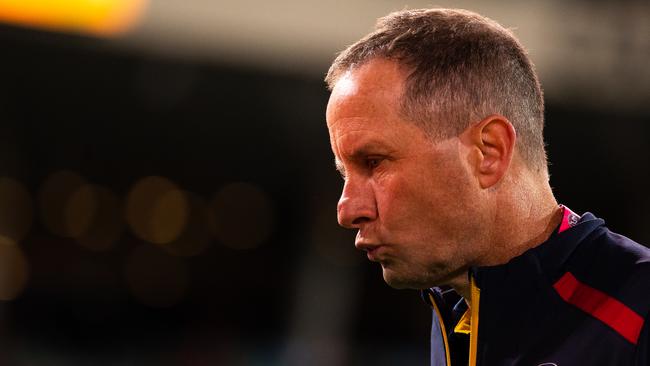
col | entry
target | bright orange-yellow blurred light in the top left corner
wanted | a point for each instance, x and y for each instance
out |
(93, 17)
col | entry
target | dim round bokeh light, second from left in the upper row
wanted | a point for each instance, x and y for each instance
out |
(61, 214)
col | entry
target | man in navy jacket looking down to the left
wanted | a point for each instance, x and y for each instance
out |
(435, 121)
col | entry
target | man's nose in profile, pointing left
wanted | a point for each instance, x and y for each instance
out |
(357, 205)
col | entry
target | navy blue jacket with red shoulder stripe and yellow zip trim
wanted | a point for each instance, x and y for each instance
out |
(580, 298)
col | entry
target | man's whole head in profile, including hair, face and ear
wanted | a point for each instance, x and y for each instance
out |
(422, 122)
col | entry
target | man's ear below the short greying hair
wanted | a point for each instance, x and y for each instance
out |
(493, 141)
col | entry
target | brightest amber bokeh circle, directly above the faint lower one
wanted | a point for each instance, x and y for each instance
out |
(156, 210)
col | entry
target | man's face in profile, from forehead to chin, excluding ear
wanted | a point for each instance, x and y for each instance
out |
(411, 200)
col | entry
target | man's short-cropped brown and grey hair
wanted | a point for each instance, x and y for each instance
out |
(462, 67)
